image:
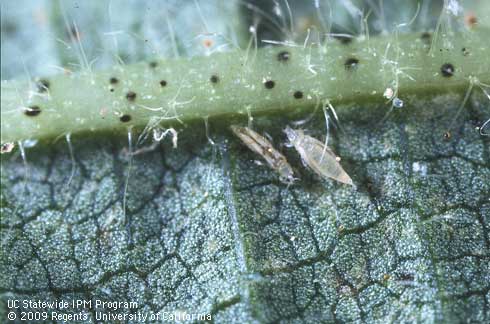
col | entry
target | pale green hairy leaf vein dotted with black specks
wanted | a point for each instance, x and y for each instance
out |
(236, 82)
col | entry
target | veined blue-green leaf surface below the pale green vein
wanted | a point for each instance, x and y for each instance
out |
(204, 229)
